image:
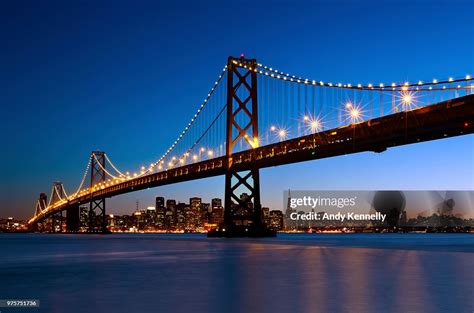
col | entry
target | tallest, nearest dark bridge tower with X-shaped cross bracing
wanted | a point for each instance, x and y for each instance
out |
(243, 211)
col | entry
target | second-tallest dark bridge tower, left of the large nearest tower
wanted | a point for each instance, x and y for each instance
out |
(97, 206)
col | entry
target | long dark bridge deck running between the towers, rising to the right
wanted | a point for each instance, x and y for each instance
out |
(445, 119)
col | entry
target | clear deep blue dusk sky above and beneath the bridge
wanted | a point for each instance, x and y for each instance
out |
(126, 77)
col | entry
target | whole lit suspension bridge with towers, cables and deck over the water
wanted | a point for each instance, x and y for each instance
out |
(256, 116)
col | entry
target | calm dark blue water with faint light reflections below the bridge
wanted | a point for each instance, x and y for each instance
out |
(190, 273)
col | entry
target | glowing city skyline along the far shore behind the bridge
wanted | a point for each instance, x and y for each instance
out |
(198, 216)
